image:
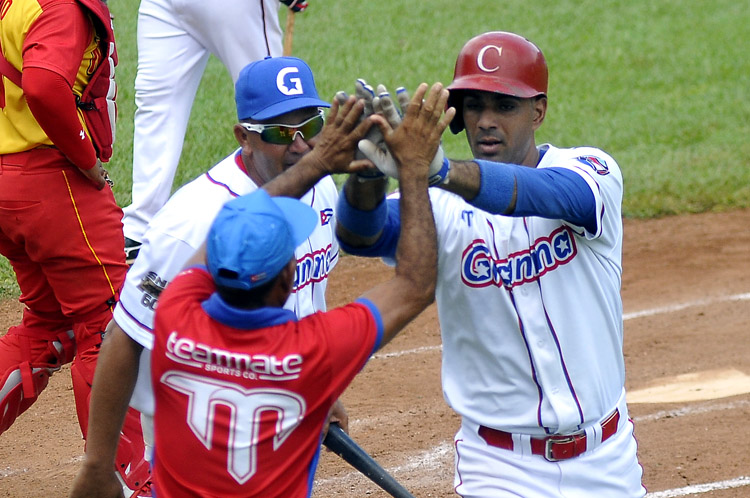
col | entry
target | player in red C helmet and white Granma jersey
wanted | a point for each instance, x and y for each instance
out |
(528, 292)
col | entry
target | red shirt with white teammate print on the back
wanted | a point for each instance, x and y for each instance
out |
(242, 396)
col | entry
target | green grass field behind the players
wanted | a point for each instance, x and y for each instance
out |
(659, 85)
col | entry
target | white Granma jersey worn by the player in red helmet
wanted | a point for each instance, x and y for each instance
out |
(530, 308)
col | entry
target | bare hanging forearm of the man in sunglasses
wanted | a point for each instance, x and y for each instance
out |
(114, 381)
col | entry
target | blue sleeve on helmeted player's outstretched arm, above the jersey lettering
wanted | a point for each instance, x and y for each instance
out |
(554, 193)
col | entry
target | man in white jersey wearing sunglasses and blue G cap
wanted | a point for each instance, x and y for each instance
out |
(280, 124)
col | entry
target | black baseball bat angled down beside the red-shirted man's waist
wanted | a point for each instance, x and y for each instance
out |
(344, 446)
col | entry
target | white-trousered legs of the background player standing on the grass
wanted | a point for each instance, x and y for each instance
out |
(175, 39)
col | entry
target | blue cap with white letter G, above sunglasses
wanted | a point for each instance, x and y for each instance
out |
(274, 86)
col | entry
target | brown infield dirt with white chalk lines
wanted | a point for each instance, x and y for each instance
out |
(686, 293)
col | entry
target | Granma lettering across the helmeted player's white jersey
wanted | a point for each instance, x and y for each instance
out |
(480, 269)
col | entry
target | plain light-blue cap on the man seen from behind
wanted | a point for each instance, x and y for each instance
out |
(254, 237)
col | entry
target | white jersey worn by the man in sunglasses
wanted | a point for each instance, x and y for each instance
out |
(181, 227)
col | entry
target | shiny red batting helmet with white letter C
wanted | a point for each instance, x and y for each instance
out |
(498, 62)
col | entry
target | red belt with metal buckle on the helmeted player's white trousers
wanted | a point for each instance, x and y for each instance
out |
(553, 448)
